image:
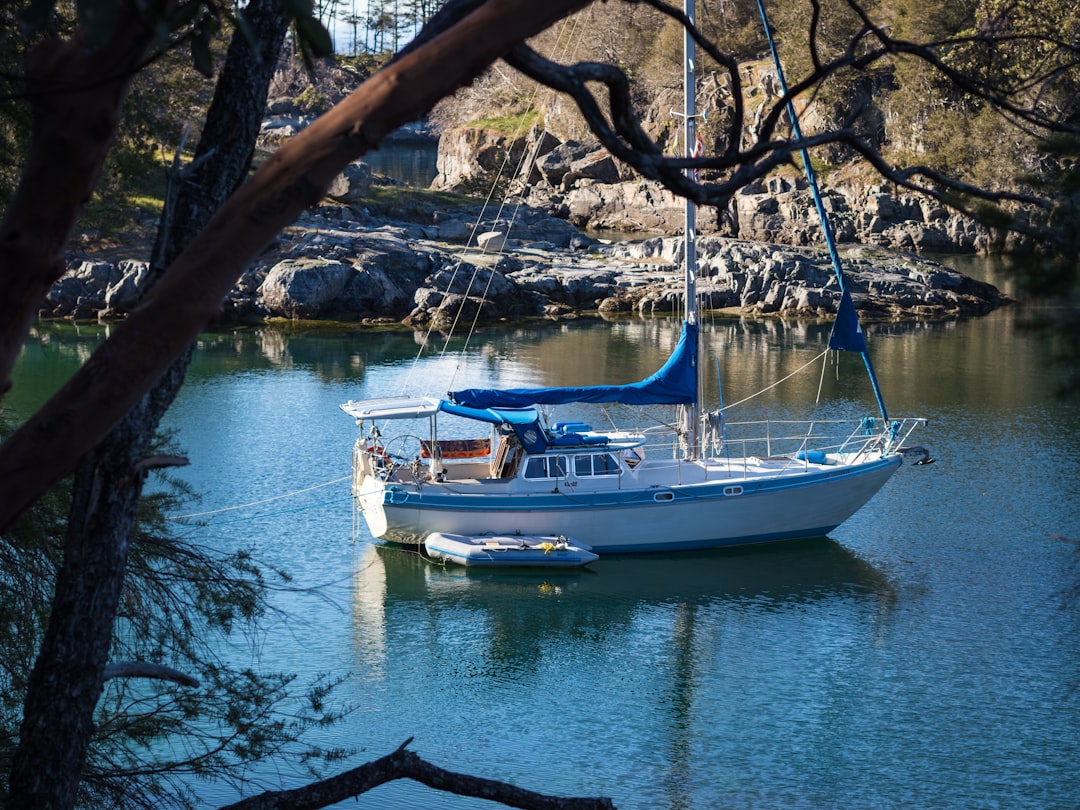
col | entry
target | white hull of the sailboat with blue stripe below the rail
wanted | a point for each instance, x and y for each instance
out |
(793, 502)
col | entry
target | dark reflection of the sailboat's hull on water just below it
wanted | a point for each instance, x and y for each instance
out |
(399, 592)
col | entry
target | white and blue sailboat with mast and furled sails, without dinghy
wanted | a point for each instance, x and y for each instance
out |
(708, 484)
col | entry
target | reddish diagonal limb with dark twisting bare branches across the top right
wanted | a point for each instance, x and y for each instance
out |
(299, 173)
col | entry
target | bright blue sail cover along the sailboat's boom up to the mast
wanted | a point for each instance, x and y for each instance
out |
(676, 384)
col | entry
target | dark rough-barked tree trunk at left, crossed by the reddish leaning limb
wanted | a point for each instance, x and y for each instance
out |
(66, 683)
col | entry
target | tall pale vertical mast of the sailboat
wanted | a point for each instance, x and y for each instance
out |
(692, 413)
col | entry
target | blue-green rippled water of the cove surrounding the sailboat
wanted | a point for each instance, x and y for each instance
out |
(925, 655)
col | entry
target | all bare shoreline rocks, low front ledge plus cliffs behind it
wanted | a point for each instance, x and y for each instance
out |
(439, 262)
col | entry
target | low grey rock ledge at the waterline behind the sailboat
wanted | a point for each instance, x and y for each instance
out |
(341, 263)
